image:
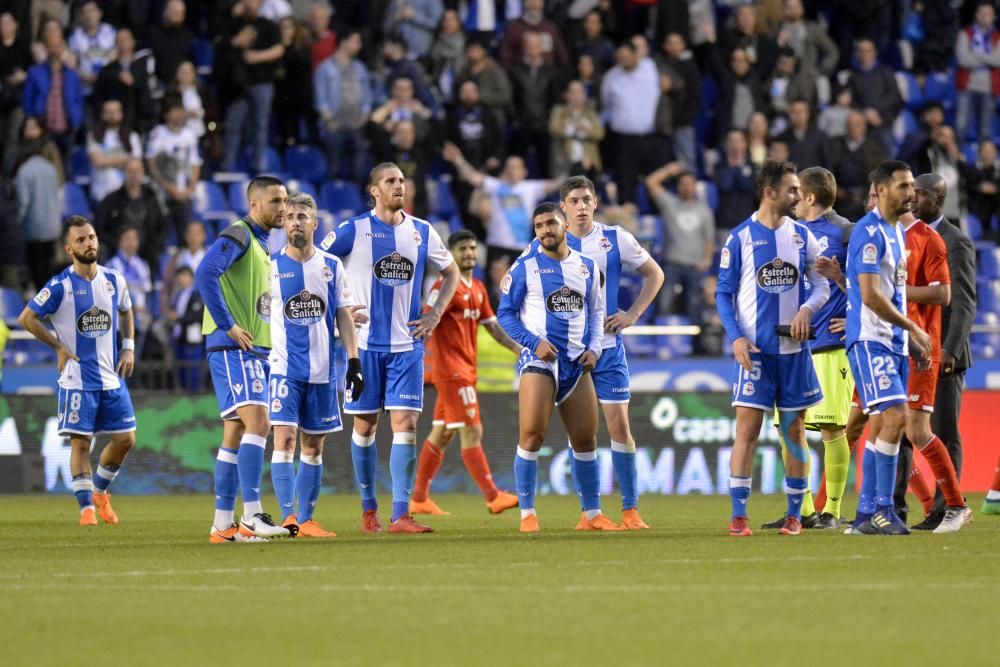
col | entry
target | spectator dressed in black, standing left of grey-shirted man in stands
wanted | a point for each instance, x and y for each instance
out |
(293, 93)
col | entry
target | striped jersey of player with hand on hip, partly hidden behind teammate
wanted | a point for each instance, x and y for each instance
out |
(612, 249)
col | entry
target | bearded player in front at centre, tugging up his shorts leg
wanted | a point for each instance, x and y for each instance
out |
(553, 305)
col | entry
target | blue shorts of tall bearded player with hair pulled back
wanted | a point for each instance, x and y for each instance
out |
(393, 381)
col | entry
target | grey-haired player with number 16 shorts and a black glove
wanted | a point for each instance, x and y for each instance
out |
(310, 301)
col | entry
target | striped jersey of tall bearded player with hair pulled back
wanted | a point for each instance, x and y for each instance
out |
(385, 268)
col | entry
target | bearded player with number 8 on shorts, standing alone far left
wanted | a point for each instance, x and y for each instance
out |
(88, 305)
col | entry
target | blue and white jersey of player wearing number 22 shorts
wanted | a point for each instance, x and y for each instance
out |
(878, 248)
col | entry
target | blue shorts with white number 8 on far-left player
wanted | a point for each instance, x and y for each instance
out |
(83, 412)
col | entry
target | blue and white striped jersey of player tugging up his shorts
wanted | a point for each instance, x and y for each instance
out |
(560, 301)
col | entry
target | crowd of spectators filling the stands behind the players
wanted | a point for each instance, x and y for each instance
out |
(142, 113)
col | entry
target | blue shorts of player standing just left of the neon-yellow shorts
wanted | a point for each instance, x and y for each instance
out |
(783, 381)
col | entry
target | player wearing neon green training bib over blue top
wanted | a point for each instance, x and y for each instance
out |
(234, 279)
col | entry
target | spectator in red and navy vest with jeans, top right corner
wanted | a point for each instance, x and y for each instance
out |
(978, 75)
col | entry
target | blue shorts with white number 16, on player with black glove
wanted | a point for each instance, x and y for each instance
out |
(311, 408)
